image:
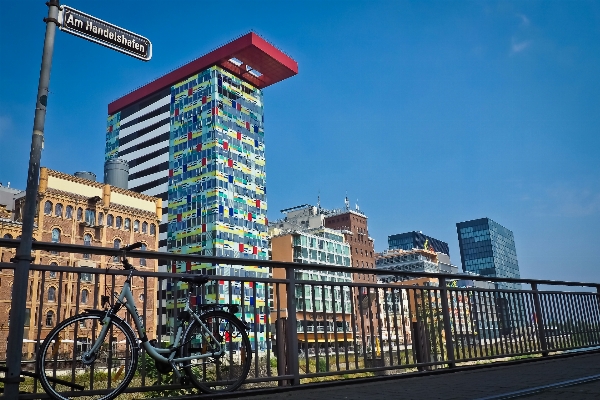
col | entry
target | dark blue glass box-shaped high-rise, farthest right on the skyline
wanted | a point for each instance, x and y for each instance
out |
(487, 248)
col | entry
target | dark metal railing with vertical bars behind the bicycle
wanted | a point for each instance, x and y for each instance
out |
(306, 330)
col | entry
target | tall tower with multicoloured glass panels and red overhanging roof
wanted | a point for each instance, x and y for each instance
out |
(195, 138)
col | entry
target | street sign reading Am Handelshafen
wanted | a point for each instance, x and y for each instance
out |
(95, 30)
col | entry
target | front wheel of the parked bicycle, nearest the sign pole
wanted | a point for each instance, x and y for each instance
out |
(67, 370)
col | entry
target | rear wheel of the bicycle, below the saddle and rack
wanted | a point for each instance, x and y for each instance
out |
(227, 371)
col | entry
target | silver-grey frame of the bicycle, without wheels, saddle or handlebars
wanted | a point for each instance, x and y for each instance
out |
(125, 298)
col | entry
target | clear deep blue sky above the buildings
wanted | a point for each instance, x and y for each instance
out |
(427, 113)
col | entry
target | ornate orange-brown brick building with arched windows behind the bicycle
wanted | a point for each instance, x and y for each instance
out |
(74, 210)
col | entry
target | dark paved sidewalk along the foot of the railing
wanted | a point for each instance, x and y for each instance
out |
(469, 384)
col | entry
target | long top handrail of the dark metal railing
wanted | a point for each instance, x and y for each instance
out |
(108, 251)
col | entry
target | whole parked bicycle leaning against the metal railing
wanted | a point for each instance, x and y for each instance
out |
(99, 350)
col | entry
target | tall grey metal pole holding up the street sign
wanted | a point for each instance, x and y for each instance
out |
(21, 277)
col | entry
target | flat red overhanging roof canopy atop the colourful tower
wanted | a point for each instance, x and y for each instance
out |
(250, 49)
